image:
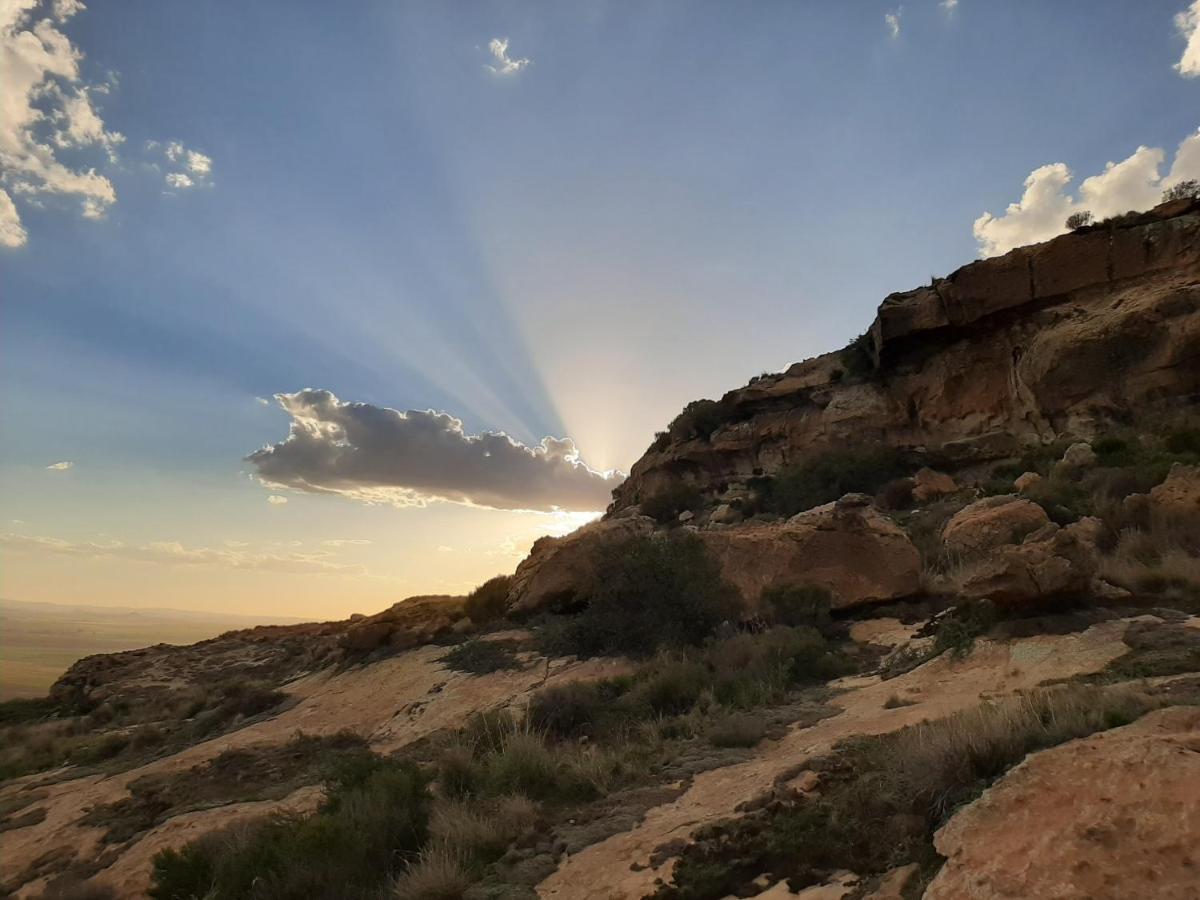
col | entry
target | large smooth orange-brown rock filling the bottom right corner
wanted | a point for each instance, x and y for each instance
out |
(1107, 818)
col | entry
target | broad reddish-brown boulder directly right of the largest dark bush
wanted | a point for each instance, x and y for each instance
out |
(849, 548)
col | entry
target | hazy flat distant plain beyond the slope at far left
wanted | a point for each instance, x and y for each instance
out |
(40, 641)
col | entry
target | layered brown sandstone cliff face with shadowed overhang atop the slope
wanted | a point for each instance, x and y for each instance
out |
(1047, 341)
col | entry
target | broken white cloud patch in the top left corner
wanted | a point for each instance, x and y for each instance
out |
(46, 109)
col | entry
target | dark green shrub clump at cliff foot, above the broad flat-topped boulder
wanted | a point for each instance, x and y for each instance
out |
(830, 476)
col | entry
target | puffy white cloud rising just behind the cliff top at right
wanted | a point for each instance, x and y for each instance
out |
(1133, 184)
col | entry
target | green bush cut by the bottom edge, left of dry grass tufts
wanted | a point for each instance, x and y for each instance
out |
(373, 821)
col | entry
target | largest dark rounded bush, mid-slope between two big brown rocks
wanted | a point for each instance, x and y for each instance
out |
(649, 592)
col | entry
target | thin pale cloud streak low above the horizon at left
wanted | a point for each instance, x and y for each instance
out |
(175, 554)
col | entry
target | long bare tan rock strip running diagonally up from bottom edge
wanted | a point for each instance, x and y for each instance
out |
(607, 871)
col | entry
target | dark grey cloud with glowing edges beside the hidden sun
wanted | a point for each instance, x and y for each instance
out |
(382, 455)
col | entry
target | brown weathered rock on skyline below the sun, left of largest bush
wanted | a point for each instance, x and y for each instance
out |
(557, 568)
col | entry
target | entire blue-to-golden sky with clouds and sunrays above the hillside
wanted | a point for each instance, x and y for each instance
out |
(308, 308)
